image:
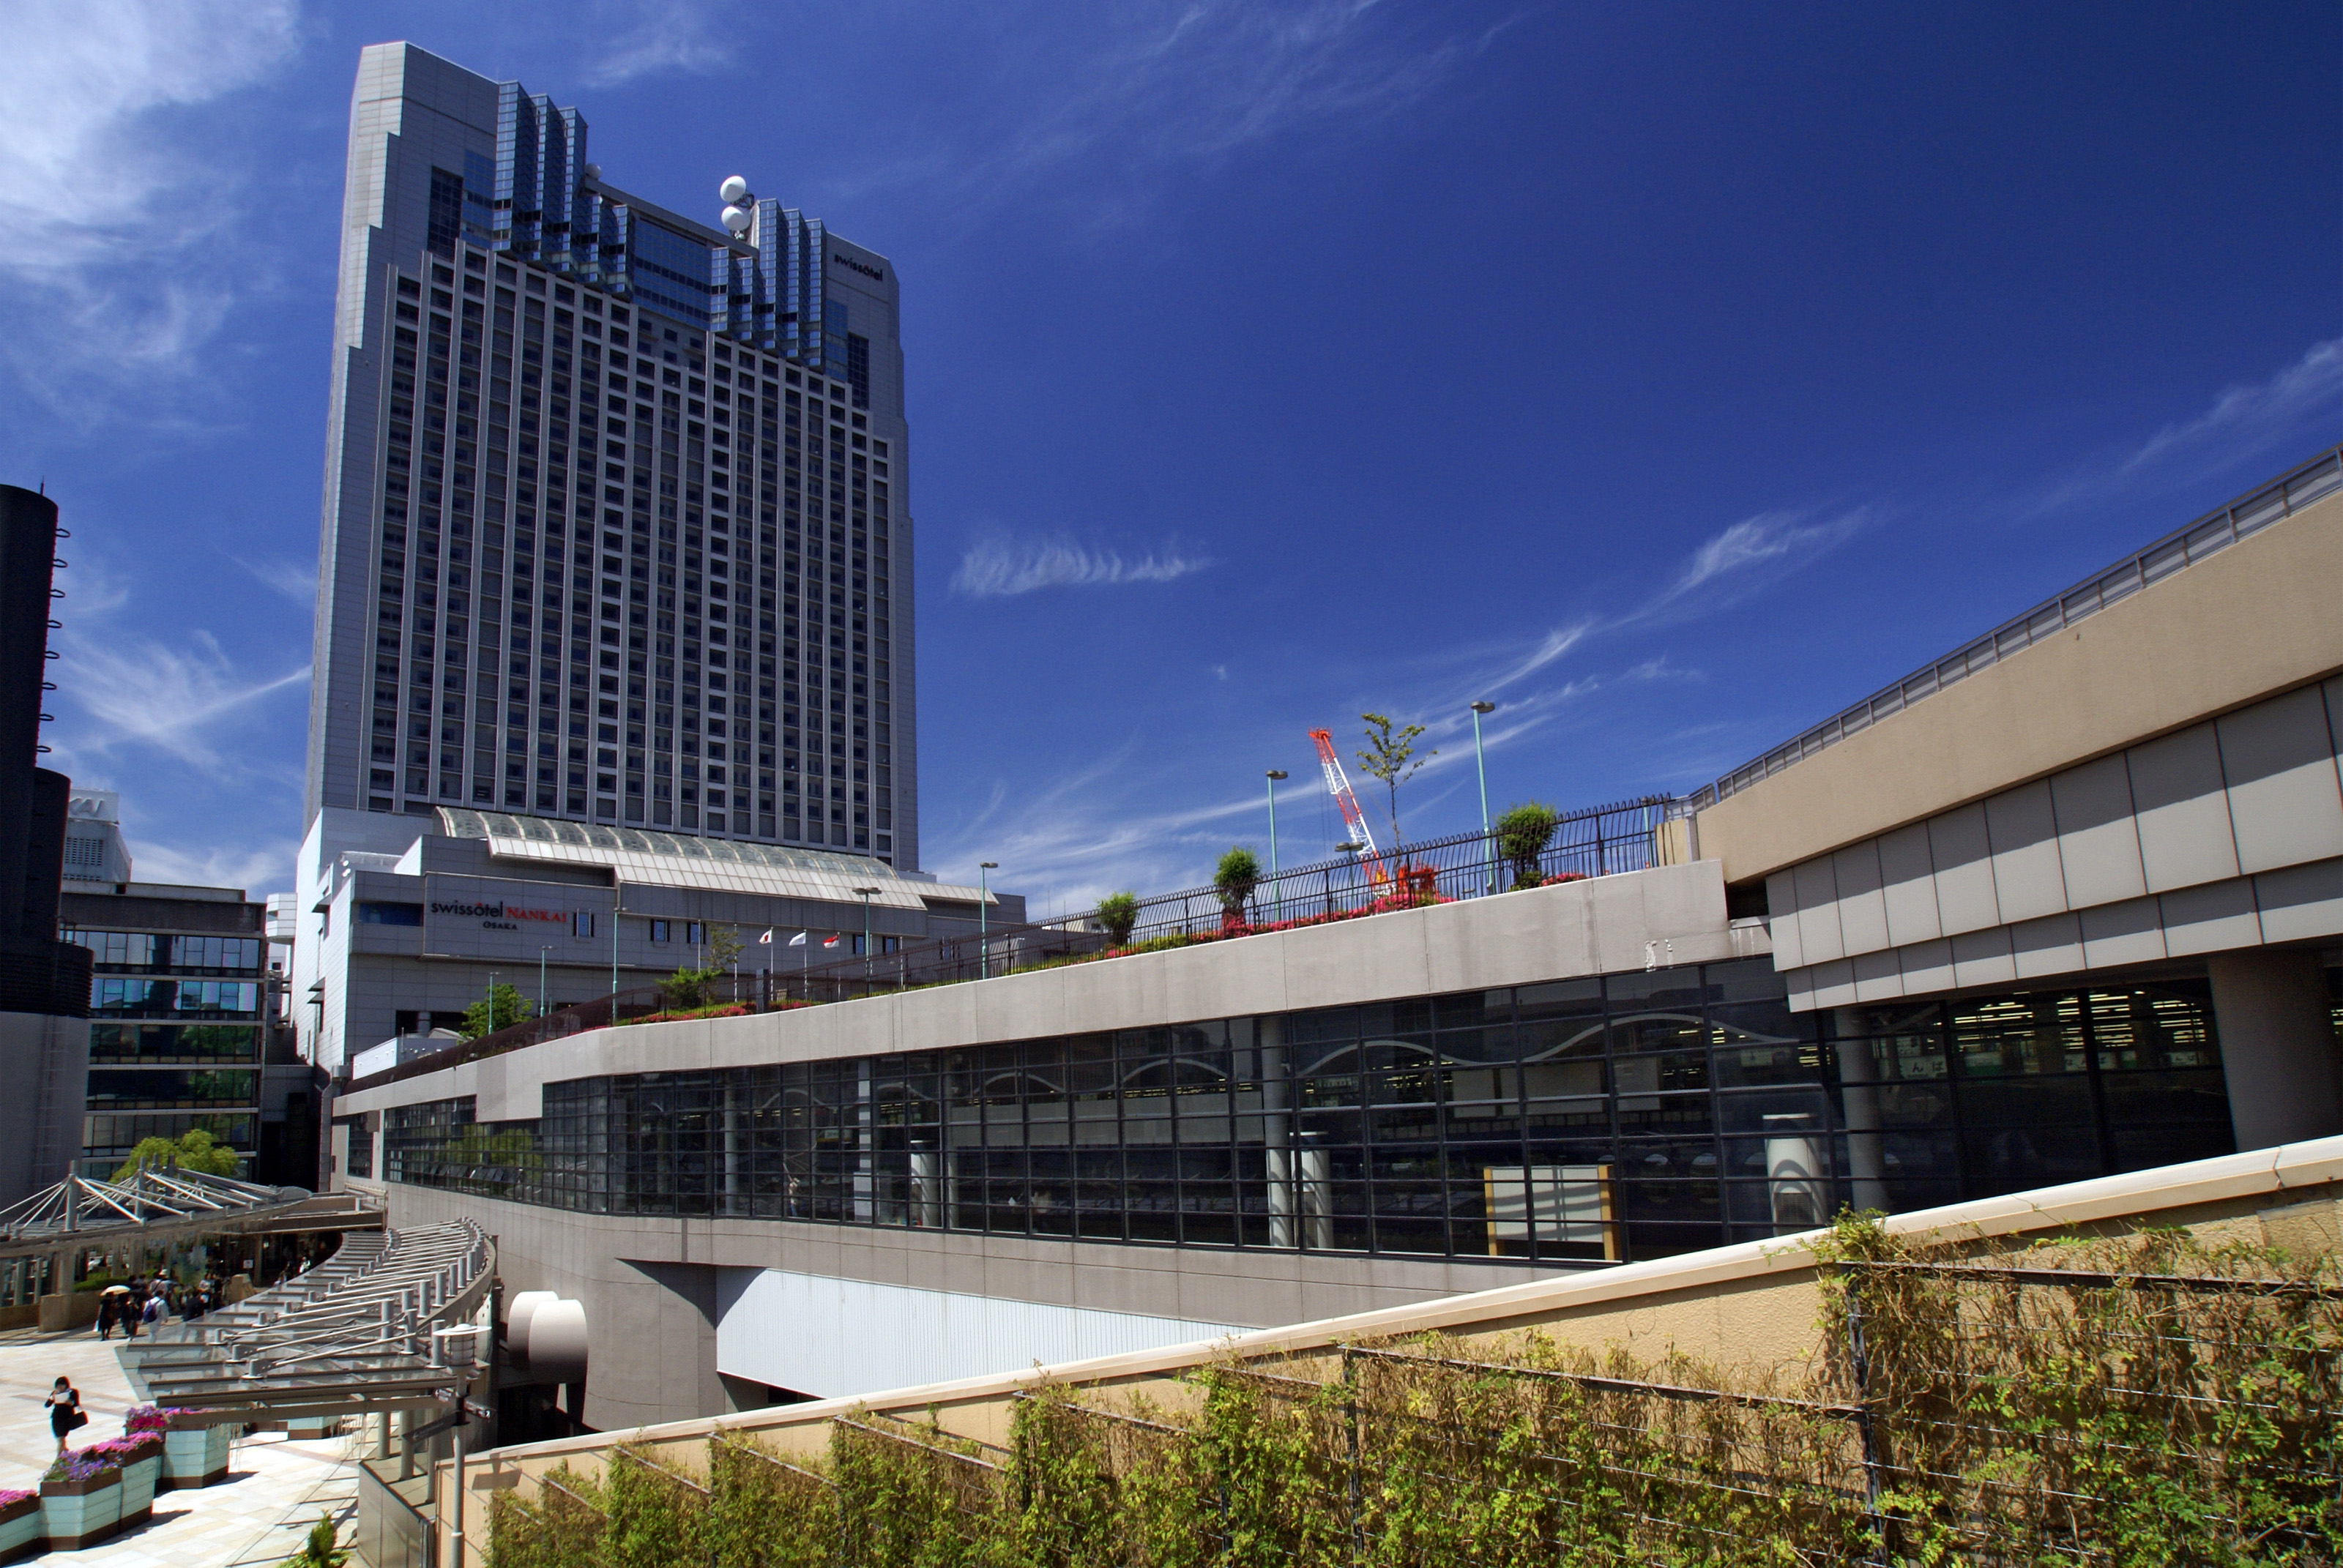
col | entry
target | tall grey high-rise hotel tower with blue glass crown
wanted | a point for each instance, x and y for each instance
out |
(615, 500)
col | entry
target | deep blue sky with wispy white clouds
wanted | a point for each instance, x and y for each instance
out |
(1669, 376)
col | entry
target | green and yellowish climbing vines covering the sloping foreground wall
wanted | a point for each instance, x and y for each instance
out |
(2014, 1422)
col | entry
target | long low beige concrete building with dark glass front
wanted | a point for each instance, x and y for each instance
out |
(2065, 904)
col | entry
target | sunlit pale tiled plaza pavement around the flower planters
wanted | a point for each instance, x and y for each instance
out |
(259, 1515)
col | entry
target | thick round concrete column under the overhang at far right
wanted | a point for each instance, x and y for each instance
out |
(2279, 1047)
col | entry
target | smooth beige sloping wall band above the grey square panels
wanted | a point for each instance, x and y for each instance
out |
(2255, 620)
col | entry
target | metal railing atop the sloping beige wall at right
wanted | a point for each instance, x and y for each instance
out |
(2183, 547)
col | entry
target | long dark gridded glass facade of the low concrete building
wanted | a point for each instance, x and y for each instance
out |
(1576, 1122)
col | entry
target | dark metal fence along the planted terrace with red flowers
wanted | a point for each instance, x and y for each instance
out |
(1594, 843)
